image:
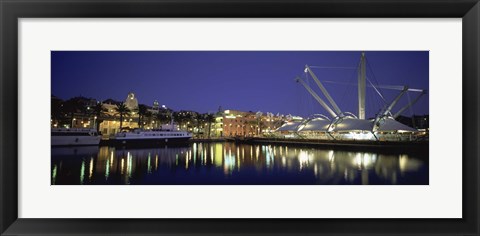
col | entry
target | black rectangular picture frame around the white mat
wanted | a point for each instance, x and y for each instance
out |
(11, 11)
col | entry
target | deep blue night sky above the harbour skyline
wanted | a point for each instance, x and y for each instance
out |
(241, 80)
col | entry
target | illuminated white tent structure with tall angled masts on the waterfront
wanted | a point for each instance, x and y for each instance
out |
(345, 125)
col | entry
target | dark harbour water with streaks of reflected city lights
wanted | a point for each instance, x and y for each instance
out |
(230, 163)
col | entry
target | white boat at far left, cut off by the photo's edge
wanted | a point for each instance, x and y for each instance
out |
(74, 137)
